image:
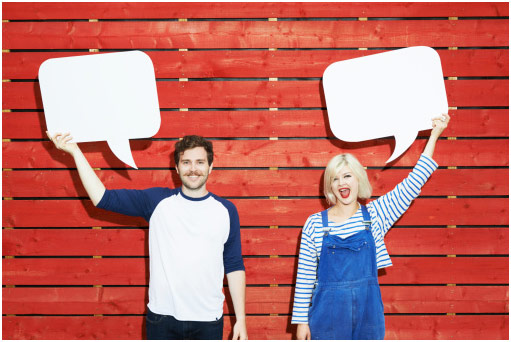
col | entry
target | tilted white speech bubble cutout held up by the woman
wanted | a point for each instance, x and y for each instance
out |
(394, 93)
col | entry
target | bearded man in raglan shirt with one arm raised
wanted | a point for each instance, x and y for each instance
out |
(194, 237)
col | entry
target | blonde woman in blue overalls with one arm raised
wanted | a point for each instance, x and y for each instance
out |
(342, 249)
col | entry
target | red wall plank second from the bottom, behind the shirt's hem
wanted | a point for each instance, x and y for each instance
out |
(259, 300)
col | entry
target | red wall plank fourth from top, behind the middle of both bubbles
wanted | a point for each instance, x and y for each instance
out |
(264, 94)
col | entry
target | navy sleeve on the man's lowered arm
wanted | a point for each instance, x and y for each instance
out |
(233, 261)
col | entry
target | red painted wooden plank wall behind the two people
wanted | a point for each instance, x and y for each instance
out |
(248, 76)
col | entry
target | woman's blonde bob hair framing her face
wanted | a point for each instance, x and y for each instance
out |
(332, 169)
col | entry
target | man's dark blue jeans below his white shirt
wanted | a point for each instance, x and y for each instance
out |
(163, 327)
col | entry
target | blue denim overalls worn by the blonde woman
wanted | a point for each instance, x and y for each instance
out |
(346, 303)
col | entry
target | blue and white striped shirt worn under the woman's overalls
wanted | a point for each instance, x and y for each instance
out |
(384, 212)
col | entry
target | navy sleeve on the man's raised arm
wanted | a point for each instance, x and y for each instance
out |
(134, 202)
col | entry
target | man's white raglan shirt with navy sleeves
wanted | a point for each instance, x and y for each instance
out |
(192, 243)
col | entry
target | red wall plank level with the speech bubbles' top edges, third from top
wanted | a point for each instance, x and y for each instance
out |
(250, 63)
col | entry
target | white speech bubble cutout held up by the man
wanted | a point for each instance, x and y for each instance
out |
(109, 96)
